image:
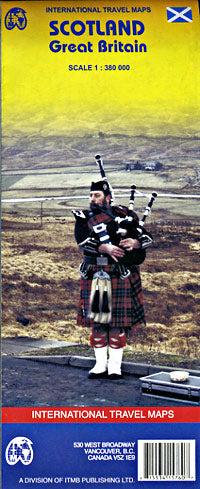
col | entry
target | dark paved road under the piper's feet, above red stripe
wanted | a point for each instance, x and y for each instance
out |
(32, 383)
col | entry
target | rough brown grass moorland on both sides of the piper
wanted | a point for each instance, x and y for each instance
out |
(41, 282)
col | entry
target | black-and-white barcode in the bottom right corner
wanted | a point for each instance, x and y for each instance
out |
(166, 460)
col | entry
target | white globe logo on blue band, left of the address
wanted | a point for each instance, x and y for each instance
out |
(20, 448)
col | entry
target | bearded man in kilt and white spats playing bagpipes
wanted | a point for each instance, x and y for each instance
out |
(111, 299)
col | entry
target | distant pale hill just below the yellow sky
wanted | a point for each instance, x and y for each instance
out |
(36, 152)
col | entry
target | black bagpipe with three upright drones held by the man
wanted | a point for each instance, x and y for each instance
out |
(129, 227)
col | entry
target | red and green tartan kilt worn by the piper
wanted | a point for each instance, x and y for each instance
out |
(127, 301)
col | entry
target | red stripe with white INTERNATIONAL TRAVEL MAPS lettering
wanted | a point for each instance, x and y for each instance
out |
(101, 415)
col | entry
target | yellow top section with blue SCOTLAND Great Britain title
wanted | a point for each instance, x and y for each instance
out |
(100, 65)
